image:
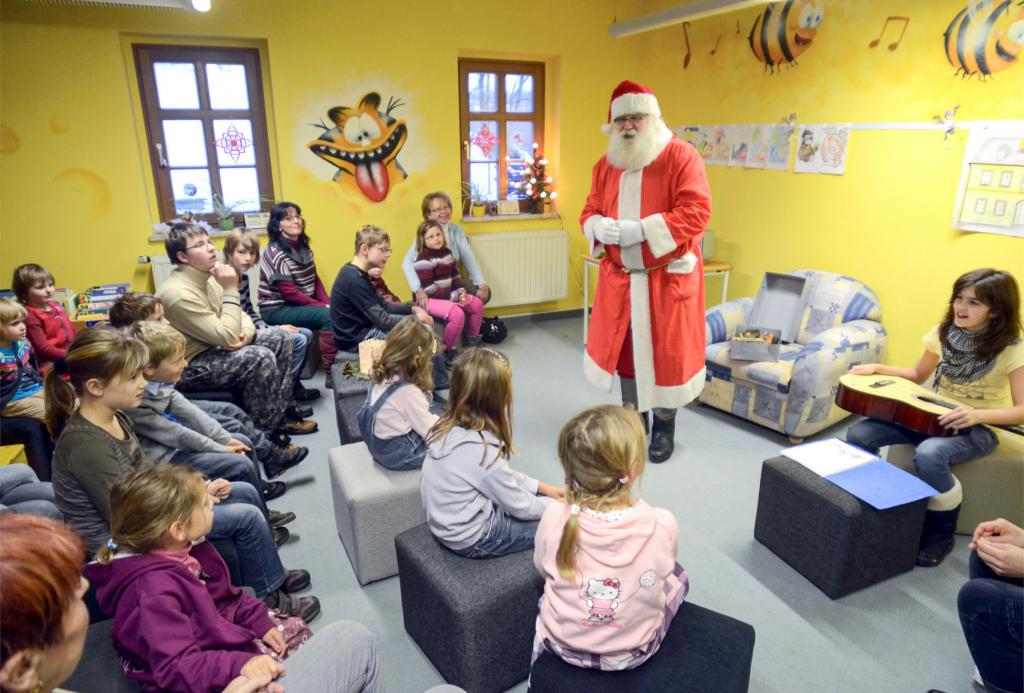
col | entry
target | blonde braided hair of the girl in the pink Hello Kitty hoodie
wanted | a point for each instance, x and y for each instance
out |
(603, 453)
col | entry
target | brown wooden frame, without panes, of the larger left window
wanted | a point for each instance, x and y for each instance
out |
(146, 56)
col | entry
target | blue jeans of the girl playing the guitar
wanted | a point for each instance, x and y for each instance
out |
(934, 456)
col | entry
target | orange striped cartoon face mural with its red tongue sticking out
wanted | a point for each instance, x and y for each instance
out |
(364, 145)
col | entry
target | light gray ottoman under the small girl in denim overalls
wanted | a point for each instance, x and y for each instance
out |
(371, 506)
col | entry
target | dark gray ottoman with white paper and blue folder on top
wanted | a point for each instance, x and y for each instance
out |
(831, 538)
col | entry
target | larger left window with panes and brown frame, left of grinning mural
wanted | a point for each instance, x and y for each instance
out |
(206, 128)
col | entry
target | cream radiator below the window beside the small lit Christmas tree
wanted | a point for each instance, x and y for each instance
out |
(524, 267)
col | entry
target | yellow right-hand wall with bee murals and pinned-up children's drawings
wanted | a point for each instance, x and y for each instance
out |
(888, 221)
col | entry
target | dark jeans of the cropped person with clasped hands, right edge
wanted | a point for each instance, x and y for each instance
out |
(992, 612)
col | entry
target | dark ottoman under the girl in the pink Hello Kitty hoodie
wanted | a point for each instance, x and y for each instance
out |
(703, 652)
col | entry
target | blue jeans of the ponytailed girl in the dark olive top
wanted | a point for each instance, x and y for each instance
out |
(238, 518)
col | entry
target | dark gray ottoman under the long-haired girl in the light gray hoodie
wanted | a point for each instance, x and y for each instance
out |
(475, 620)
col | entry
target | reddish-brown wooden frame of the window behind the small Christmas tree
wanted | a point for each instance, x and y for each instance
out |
(501, 68)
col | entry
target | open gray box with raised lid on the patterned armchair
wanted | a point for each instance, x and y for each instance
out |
(775, 320)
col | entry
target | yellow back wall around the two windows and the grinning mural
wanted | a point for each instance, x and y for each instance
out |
(74, 174)
